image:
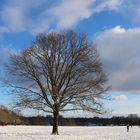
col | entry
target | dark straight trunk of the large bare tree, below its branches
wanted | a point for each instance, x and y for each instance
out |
(55, 123)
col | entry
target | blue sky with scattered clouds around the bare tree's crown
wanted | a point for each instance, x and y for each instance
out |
(113, 25)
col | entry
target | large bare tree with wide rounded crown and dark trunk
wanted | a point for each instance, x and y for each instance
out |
(59, 72)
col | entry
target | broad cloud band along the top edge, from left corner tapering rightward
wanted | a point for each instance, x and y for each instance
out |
(42, 15)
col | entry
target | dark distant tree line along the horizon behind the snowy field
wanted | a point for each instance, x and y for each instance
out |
(14, 118)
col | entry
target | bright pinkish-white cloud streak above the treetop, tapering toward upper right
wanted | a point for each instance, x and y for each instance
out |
(69, 13)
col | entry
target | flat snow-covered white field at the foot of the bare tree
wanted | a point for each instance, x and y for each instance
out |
(69, 133)
